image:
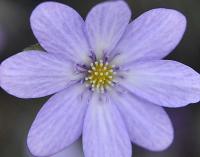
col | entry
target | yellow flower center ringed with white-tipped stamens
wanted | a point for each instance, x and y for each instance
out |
(100, 75)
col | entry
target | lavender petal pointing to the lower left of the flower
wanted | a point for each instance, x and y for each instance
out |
(59, 123)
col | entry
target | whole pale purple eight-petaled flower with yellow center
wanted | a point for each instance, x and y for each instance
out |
(108, 76)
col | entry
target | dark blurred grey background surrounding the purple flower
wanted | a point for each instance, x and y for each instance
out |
(16, 115)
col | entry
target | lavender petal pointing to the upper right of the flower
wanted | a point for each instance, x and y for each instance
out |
(153, 35)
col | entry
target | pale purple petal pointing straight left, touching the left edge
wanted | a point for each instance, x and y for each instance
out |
(33, 74)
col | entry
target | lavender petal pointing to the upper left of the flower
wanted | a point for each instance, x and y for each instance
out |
(60, 29)
